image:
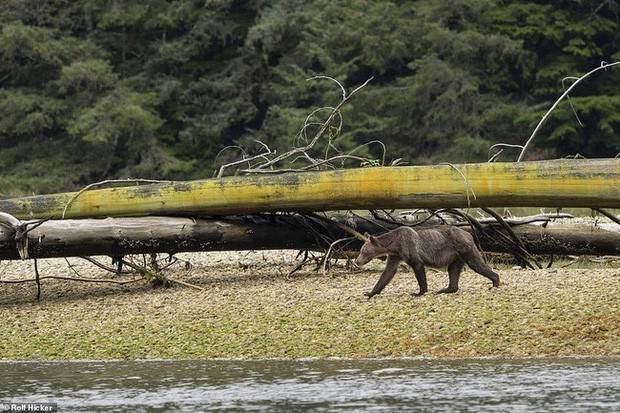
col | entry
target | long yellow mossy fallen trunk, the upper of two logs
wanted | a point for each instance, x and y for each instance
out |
(558, 183)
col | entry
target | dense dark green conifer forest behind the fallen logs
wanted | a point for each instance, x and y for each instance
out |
(111, 89)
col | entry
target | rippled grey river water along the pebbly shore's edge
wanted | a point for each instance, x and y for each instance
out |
(485, 385)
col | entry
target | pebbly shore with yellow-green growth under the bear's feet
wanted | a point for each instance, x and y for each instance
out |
(251, 308)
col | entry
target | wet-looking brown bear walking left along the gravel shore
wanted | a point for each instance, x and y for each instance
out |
(436, 247)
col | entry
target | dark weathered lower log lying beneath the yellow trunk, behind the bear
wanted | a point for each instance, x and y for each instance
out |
(123, 236)
